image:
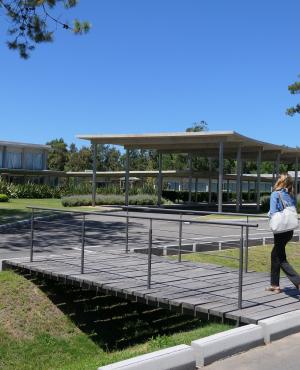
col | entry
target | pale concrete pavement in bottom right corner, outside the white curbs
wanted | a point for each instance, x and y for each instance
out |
(279, 355)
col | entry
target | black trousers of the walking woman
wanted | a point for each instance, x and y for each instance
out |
(278, 260)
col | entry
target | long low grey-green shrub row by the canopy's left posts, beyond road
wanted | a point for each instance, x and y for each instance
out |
(110, 199)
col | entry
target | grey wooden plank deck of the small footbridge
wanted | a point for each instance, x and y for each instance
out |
(191, 288)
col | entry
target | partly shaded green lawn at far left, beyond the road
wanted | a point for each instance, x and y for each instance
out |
(15, 209)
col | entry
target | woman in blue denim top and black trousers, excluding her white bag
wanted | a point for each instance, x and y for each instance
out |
(281, 197)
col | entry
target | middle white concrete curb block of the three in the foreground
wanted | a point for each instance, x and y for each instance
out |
(227, 343)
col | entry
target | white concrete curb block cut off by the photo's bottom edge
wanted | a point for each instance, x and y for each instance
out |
(174, 358)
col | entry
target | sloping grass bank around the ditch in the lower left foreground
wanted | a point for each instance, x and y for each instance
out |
(35, 334)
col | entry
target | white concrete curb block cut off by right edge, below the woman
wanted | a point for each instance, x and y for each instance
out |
(280, 326)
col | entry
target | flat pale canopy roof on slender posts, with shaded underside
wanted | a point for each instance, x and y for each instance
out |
(204, 143)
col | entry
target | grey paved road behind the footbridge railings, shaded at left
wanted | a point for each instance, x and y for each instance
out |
(109, 232)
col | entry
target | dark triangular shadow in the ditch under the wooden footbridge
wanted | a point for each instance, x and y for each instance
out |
(111, 322)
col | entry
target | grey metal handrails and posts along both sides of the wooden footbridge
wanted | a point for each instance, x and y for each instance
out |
(180, 221)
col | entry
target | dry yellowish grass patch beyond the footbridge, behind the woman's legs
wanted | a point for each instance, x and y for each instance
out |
(259, 257)
